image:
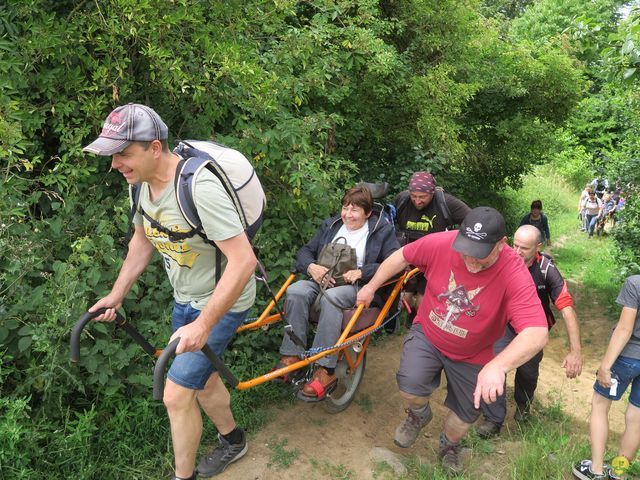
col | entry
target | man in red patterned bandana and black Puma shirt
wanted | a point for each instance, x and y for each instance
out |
(421, 210)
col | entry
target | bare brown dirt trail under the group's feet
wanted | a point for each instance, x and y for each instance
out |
(338, 446)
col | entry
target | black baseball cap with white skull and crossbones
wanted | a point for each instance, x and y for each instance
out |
(479, 232)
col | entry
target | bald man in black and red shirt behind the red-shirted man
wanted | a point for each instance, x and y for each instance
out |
(550, 287)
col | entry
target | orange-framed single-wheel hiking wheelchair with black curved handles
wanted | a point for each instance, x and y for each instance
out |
(358, 325)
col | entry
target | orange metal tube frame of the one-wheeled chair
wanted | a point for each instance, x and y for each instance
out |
(268, 318)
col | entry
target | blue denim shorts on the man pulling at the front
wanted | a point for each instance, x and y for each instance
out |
(193, 369)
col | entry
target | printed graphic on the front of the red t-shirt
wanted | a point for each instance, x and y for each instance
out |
(453, 303)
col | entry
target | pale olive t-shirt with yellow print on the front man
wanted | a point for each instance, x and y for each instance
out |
(190, 263)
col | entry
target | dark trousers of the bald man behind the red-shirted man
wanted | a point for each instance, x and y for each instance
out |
(526, 382)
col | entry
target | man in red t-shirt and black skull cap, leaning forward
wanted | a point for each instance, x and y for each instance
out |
(476, 285)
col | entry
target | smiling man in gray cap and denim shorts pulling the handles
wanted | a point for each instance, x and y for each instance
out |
(204, 312)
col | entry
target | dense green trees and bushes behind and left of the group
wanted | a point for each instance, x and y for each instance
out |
(319, 94)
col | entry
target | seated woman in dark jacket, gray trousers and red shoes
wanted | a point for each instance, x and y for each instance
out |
(374, 239)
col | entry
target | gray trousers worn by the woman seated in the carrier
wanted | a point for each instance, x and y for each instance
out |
(298, 302)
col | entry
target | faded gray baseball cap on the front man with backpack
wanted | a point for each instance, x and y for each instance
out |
(129, 123)
